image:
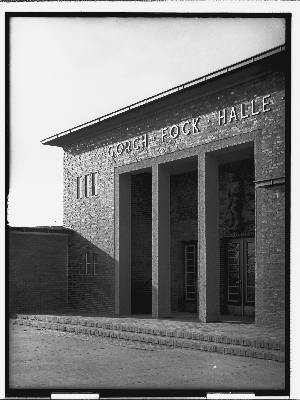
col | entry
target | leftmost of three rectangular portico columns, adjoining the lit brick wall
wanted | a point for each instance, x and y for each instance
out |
(123, 244)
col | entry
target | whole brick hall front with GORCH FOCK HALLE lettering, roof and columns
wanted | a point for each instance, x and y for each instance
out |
(177, 203)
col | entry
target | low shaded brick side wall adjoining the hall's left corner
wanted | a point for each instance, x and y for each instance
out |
(37, 272)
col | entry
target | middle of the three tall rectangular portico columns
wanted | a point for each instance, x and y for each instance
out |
(161, 273)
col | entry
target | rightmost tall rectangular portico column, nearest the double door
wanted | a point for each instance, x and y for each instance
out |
(208, 256)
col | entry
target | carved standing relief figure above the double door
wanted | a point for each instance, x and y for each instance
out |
(232, 216)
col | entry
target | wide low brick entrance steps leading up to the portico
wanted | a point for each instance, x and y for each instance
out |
(231, 336)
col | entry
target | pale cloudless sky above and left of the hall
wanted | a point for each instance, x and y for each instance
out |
(68, 71)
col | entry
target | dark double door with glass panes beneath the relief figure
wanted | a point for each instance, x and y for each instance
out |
(240, 276)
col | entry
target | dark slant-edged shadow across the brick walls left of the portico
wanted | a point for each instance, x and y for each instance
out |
(59, 273)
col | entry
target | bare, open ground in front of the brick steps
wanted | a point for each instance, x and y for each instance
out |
(41, 359)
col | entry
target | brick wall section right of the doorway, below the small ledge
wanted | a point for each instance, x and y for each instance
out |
(270, 259)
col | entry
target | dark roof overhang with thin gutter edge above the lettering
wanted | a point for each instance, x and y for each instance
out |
(243, 71)
